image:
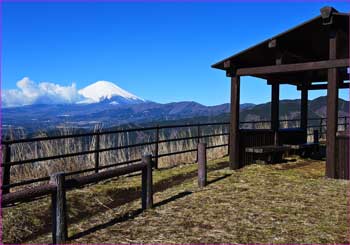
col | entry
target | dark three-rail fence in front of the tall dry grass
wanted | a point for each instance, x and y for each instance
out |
(7, 163)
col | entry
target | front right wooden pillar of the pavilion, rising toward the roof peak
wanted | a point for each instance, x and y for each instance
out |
(332, 110)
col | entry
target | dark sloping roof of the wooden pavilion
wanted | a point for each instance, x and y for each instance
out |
(306, 42)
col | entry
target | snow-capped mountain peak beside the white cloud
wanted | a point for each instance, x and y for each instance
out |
(108, 92)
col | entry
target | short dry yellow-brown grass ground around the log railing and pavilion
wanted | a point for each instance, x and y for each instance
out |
(283, 203)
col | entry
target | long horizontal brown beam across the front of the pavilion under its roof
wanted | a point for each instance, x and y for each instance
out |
(307, 66)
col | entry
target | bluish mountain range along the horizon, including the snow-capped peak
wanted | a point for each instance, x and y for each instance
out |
(105, 103)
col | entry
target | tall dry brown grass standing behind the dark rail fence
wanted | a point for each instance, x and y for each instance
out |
(55, 147)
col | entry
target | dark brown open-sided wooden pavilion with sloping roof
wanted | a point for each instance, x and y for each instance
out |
(313, 55)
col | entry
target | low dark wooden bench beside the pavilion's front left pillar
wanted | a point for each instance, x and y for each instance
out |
(268, 153)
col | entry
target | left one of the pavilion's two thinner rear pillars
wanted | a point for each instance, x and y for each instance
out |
(275, 90)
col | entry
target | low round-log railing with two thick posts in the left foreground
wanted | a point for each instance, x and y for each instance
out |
(58, 186)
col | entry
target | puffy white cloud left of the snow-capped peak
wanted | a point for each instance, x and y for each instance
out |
(29, 92)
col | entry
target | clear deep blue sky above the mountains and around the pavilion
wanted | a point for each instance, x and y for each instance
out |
(158, 51)
